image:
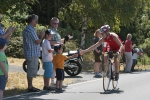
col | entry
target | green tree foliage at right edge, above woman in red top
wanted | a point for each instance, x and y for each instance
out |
(140, 26)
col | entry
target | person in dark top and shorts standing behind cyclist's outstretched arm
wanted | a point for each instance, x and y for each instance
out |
(97, 52)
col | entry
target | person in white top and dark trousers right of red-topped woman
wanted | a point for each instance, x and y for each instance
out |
(136, 52)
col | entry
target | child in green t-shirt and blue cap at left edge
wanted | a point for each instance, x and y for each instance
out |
(3, 66)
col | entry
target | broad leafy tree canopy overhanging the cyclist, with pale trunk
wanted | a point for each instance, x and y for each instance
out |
(99, 12)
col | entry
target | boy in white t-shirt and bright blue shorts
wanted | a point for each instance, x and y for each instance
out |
(47, 57)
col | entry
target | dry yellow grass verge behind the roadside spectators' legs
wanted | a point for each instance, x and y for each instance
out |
(17, 83)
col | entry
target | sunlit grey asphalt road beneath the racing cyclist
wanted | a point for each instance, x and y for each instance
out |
(131, 86)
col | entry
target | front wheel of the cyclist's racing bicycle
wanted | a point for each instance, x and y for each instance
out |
(106, 77)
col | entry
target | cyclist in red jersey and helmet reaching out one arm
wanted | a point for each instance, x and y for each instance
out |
(114, 42)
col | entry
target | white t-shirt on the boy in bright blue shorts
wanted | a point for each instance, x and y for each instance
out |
(46, 56)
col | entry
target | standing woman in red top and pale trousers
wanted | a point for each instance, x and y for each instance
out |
(128, 53)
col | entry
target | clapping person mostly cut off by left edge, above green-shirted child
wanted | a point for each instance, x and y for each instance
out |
(3, 34)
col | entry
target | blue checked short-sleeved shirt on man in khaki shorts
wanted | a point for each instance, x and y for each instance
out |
(30, 48)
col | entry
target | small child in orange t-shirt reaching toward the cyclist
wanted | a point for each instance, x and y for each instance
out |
(58, 61)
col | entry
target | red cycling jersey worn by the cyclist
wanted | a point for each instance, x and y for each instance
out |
(111, 44)
